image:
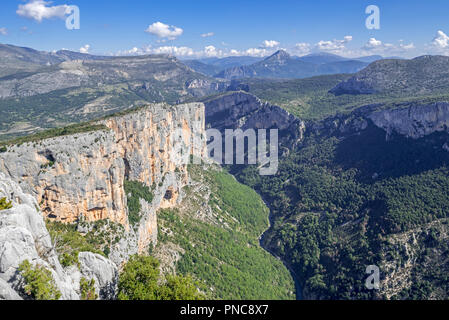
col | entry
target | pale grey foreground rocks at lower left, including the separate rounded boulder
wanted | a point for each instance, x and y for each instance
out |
(24, 236)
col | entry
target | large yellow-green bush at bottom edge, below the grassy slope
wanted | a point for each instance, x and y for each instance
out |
(140, 280)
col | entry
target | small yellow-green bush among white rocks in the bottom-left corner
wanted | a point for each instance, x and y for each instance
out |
(39, 282)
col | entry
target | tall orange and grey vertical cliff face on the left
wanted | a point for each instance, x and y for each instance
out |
(84, 174)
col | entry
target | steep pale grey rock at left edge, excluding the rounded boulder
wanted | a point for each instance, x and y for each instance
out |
(23, 236)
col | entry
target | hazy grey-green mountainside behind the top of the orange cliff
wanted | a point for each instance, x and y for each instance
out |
(43, 90)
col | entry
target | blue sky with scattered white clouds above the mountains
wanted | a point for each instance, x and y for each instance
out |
(408, 28)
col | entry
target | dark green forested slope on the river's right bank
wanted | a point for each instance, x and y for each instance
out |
(339, 203)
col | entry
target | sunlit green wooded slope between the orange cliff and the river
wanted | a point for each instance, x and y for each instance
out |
(222, 245)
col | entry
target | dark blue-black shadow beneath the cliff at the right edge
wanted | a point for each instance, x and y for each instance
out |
(376, 158)
